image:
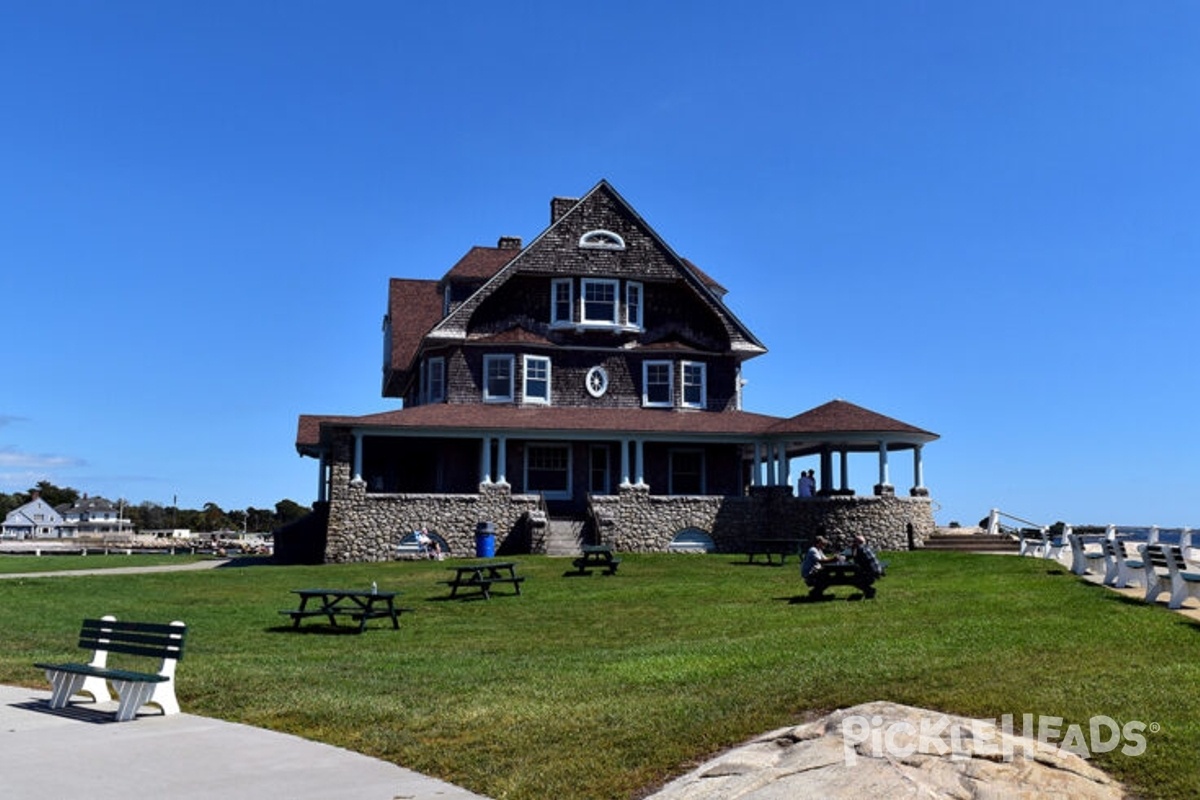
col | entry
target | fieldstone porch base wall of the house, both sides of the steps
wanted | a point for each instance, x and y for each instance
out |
(367, 527)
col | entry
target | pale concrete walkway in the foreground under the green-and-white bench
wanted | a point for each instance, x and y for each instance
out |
(81, 753)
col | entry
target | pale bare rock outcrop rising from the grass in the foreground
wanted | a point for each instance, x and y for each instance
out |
(886, 750)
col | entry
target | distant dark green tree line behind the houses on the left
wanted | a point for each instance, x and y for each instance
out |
(153, 516)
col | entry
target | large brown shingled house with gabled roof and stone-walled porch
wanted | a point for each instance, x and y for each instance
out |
(585, 388)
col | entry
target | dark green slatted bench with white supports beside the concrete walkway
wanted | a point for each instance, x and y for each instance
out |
(135, 689)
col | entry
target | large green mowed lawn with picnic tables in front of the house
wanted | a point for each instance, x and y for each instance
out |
(607, 687)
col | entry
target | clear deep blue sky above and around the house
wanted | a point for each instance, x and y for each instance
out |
(976, 218)
